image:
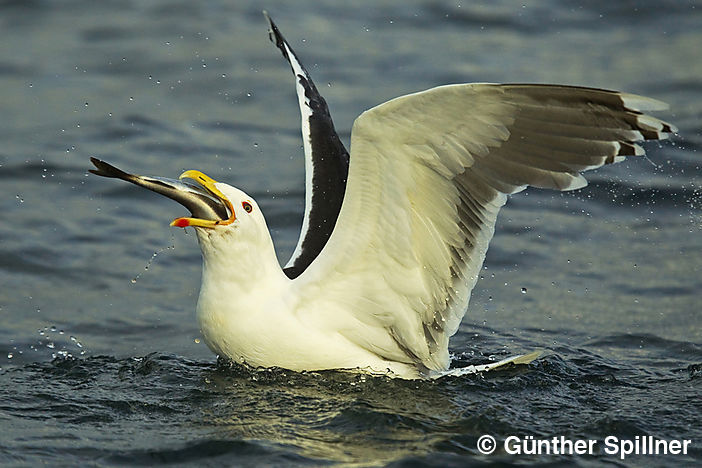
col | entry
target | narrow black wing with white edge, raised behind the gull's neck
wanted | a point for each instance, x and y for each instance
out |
(326, 163)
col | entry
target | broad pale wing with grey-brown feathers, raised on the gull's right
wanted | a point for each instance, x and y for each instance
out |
(428, 174)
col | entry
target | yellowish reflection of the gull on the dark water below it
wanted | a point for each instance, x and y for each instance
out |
(339, 416)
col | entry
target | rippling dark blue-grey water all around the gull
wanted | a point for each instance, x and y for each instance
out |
(100, 355)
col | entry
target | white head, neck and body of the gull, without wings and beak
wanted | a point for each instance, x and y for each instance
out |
(250, 312)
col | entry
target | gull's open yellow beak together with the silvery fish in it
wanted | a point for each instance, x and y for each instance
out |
(208, 206)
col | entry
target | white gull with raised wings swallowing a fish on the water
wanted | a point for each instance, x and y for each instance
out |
(395, 232)
